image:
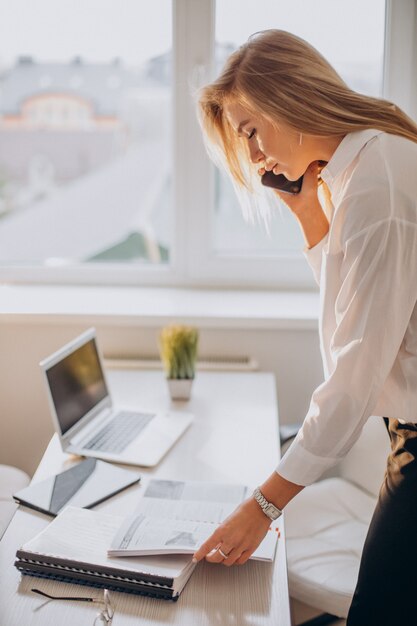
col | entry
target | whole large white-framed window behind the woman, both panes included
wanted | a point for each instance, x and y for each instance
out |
(103, 173)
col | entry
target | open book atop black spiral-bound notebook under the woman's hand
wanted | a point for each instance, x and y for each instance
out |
(148, 553)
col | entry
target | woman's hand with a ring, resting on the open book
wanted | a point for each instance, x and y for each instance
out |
(237, 537)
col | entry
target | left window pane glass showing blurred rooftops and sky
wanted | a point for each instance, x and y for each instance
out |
(85, 131)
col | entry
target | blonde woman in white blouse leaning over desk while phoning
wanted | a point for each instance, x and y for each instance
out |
(278, 105)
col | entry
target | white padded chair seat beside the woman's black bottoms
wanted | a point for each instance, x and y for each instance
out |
(325, 527)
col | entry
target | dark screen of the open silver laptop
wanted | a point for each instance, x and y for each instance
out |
(77, 384)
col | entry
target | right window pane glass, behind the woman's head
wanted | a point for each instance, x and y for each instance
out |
(350, 35)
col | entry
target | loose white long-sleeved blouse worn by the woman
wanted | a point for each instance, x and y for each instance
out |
(366, 267)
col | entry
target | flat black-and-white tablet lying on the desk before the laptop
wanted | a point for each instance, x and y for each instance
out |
(84, 485)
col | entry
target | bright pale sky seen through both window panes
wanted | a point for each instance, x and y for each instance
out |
(135, 30)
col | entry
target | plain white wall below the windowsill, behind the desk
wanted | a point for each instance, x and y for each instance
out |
(293, 355)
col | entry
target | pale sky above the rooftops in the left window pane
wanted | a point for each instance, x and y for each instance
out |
(97, 30)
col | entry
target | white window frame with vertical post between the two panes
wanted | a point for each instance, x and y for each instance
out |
(193, 262)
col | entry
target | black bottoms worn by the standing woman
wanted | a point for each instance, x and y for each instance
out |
(386, 592)
